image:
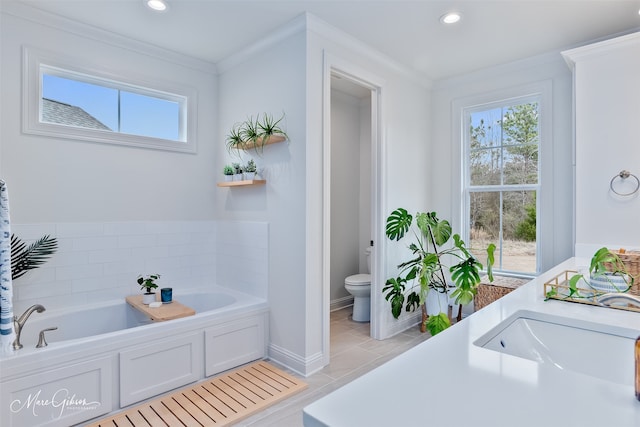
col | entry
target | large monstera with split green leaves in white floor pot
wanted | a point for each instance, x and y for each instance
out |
(424, 271)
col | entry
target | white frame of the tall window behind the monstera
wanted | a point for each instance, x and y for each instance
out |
(540, 92)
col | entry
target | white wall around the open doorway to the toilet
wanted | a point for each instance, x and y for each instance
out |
(402, 153)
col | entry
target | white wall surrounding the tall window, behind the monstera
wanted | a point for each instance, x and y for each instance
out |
(556, 214)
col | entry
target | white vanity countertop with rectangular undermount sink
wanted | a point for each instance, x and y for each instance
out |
(521, 361)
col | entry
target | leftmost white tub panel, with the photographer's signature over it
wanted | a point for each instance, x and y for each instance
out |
(59, 397)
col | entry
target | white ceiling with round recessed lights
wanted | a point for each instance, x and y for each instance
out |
(490, 32)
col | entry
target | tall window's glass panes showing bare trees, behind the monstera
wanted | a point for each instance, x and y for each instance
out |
(501, 181)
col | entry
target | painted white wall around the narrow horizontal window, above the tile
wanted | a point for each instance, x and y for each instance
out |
(58, 180)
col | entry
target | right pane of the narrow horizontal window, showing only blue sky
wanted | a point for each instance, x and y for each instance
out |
(149, 116)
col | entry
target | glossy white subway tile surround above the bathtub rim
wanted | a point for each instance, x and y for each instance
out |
(100, 261)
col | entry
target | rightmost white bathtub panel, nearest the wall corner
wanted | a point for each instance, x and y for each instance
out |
(233, 344)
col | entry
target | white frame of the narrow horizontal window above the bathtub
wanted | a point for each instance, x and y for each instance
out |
(37, 62)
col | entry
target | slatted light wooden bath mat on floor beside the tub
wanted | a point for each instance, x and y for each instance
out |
(218, 401)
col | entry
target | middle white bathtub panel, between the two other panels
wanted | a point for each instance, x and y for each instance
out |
(150, 369)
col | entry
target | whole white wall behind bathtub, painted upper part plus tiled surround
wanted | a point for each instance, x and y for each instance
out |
(116, 211)
